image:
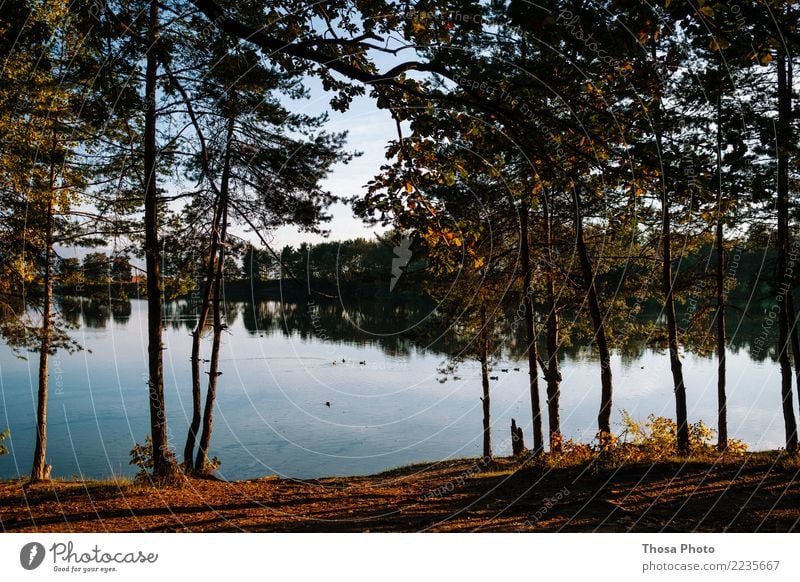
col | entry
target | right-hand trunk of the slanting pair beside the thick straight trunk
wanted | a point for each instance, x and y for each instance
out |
(213, 374)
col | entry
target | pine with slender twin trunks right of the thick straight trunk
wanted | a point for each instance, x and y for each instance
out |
(258, 164)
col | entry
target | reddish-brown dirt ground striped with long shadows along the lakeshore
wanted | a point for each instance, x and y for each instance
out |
(752, 494)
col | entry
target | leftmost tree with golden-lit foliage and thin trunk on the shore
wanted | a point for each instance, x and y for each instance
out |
(50, 125)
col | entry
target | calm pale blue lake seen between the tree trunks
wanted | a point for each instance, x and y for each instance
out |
(271, 416)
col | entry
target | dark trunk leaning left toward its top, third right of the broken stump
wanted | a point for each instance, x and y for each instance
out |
(606, 381)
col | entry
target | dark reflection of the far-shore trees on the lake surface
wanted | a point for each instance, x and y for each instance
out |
(403, 322)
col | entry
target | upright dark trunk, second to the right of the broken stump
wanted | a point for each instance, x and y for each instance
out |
(553, 373)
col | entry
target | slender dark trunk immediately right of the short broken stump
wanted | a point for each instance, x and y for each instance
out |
(530, 331)
